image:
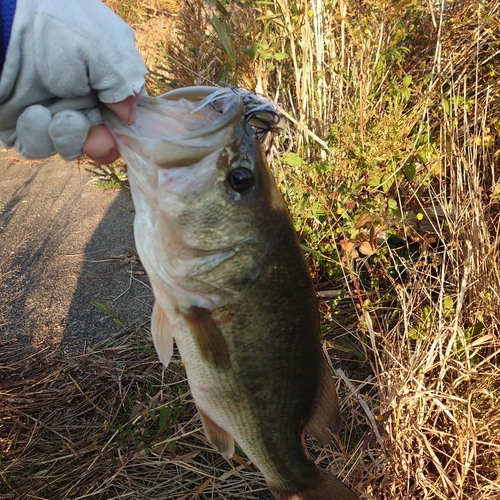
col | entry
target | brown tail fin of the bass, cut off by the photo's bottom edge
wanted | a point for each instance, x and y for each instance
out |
(326, 487)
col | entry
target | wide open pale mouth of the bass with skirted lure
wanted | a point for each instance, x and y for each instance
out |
(185, 125)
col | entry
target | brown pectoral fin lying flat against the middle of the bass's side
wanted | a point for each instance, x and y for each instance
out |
(208, 337)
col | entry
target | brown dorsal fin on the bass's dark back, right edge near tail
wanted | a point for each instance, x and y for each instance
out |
(325, 420)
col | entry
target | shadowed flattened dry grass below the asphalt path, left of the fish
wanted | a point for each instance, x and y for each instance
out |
(109, 424)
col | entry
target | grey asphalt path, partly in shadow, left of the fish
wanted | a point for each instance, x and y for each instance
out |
(65, 243)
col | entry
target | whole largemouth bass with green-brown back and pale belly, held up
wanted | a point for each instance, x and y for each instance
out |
(231, 285)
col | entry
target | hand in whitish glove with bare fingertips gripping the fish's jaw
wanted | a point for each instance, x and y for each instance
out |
(63, 57)
